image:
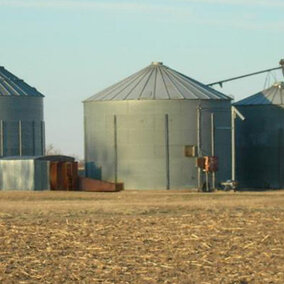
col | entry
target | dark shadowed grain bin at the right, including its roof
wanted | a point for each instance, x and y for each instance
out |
(260, 139)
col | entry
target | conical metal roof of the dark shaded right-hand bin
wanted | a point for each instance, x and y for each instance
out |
(271, 96)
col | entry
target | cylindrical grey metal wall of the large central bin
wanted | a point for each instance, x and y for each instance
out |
(141, 156)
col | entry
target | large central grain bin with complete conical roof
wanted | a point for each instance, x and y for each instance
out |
(137, 130)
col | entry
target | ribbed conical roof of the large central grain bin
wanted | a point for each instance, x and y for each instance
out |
(158, 82)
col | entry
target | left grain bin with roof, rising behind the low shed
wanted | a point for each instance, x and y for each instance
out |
(21, 117)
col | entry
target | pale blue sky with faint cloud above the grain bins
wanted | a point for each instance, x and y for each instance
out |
(69, 50)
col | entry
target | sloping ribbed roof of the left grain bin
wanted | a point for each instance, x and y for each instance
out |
(10, 85)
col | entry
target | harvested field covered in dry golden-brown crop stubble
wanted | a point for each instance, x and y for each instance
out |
(141, 237)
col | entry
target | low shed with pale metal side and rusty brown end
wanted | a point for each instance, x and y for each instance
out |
(38, 173)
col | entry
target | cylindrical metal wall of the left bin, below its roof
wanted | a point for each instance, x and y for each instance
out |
(22, 130)
